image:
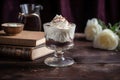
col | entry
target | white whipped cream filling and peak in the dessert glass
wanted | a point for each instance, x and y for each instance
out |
(59, 29)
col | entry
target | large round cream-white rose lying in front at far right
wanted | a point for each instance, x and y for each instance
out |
(107, 39)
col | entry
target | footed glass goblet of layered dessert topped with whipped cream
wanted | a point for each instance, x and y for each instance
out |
(59, 34)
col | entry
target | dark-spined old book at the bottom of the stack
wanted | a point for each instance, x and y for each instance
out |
(24, 53)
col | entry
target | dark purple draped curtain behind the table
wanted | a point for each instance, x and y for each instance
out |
(77, 11)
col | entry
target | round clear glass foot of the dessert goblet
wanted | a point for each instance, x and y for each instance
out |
(57, 62)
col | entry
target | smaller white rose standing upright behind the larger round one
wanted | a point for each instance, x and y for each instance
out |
(92, 29)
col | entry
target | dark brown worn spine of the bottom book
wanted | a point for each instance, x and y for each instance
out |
(15, 52)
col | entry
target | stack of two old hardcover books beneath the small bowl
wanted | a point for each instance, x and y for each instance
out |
(28, 45)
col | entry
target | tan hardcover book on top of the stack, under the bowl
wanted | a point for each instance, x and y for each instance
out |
(25, 38)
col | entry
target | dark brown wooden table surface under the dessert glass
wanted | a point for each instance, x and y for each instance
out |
(90, 64)
